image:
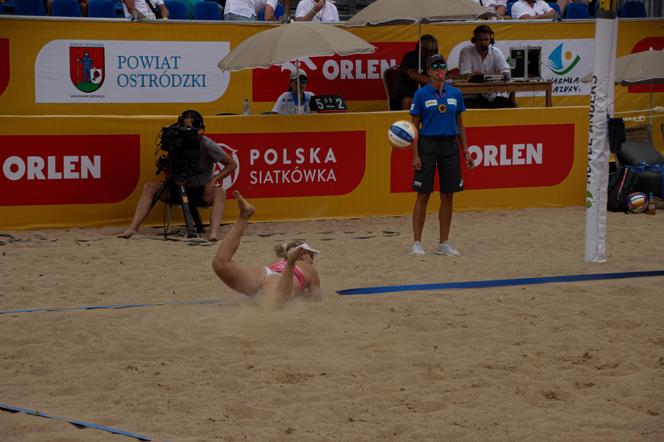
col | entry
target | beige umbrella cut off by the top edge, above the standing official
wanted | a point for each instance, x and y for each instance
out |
(382, 12)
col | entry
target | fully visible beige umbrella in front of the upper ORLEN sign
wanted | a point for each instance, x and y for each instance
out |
(292, 41)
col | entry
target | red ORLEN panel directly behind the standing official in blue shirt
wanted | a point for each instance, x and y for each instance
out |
(507, 156)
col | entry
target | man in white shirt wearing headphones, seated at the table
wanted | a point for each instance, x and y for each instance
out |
(481, 58)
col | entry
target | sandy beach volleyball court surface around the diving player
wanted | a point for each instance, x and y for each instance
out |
(560, 361)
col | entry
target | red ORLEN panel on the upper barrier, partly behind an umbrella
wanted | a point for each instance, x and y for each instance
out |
(355, 77)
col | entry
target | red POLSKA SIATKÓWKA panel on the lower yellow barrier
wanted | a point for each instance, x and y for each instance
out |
(298, 163)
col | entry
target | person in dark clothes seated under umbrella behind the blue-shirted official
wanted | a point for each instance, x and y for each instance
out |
(412, 74)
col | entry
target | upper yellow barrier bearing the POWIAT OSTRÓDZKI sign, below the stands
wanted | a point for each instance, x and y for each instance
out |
(116, 67)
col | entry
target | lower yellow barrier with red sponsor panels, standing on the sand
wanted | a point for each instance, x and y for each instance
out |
(69, 171)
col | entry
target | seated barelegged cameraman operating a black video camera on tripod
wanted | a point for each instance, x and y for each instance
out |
(202, 189)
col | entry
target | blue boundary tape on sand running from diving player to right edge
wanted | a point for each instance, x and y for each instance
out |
(497, 283)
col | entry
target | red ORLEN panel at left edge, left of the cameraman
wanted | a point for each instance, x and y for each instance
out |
(68, 169)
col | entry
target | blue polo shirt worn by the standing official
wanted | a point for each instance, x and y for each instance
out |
(438, 111)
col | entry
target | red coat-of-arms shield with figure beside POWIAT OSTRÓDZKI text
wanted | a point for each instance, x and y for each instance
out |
(86, 67)
